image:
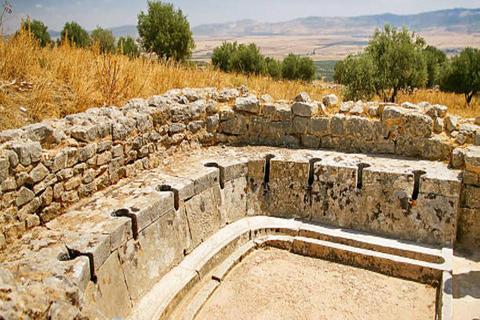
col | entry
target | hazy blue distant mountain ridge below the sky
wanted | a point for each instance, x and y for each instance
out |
(458, 20)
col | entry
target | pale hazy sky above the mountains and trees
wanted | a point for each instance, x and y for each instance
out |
(112, 13)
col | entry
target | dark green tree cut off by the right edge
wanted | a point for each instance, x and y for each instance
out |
(462, 74)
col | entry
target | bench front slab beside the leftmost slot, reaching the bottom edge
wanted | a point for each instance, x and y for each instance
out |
(109, 295)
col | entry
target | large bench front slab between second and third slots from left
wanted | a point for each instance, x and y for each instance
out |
(158, 248)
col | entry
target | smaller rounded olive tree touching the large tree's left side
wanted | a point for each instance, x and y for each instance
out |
(358, 73)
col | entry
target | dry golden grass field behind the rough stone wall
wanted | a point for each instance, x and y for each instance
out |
(39, 83)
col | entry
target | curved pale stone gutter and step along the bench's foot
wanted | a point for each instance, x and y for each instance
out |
(183, 291)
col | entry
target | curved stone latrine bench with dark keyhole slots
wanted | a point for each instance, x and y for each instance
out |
(107, 252)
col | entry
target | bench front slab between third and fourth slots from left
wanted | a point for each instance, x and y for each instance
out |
(203, 215)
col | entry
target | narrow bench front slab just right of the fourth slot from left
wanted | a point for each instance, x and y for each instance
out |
(233, 205)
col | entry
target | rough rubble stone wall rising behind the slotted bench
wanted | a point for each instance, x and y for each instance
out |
(46, 167)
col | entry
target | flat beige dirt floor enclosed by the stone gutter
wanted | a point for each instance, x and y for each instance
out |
(276, 284)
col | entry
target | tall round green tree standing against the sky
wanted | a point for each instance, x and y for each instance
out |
(165, 31)
